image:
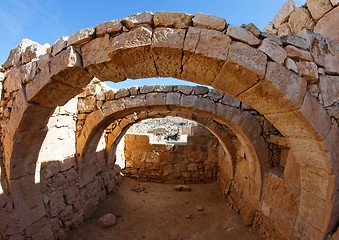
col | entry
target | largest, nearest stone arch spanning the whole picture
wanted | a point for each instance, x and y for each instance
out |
(176, 45)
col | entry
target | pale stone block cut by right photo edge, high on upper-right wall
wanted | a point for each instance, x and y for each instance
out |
(328, 25)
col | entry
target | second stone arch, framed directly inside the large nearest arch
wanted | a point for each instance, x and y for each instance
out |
(190, 102)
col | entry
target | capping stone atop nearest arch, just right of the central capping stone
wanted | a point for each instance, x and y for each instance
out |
(208, 21)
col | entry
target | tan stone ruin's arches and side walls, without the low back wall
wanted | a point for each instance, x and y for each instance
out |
(274, 113)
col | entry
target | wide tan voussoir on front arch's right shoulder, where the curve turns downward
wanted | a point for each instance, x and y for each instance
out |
(281, 91)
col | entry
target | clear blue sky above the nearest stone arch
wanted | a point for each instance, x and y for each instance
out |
(45, 21)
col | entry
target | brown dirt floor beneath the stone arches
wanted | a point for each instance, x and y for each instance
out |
(157, 212)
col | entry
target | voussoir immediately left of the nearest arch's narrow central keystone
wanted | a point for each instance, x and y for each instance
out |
(131, 52)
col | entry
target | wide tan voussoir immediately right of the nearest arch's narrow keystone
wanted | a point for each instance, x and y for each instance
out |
(205, 51)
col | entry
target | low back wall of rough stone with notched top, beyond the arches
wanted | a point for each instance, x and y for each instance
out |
(193, 162)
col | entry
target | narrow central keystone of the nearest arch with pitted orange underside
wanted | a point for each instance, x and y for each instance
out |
(167, 46)
